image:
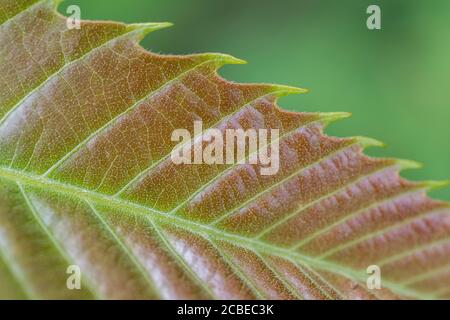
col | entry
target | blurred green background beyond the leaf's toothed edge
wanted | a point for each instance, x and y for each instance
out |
(395, 81)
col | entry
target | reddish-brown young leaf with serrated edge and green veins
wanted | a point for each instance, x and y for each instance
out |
(86, 178)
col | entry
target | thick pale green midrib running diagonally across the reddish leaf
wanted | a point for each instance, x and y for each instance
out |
(41, 183)
